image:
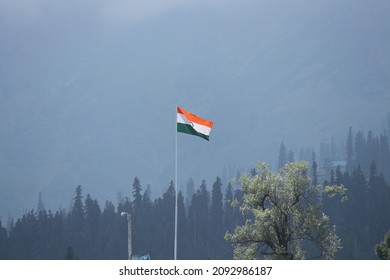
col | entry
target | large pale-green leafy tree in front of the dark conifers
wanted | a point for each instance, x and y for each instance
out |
(284, 216)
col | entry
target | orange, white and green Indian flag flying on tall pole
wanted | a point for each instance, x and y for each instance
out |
(192, 124)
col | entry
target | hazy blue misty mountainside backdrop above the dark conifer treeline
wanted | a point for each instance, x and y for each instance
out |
(88, 90)
